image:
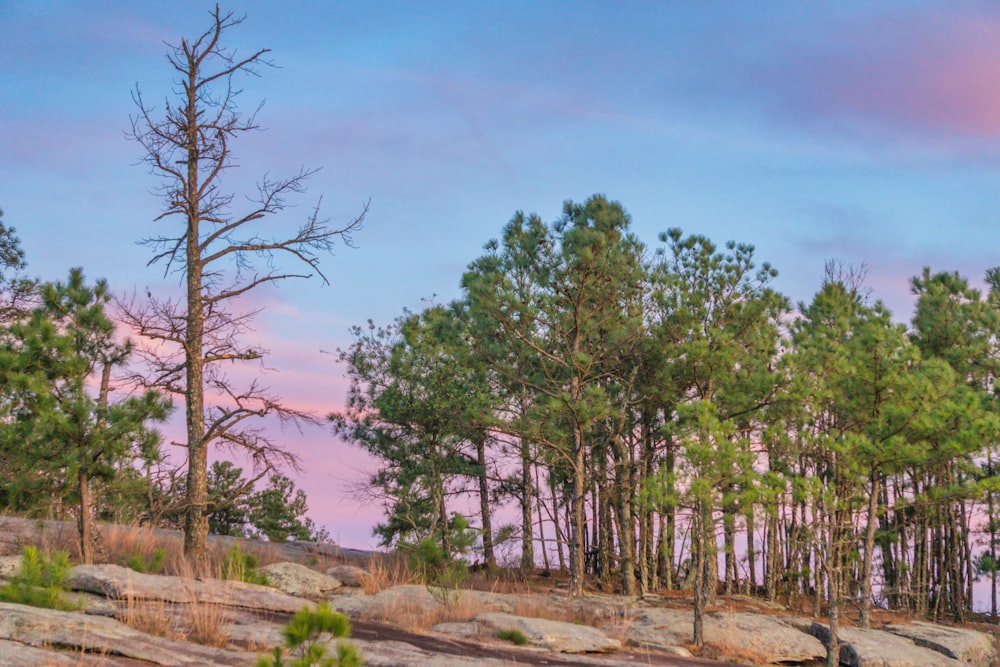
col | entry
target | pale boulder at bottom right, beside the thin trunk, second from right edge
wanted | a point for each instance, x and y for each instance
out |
(874, 648)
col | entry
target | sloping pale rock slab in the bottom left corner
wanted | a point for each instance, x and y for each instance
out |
(47, 627)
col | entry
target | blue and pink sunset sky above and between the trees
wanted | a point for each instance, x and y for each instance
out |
(866, 132)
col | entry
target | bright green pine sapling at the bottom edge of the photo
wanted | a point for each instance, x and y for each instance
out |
(302, 640)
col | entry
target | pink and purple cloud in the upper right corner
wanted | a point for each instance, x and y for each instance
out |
(902, 73)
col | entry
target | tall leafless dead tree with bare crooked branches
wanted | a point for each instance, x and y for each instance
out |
(221, 256)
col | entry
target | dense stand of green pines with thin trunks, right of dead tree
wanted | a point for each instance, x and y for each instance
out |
(664, 418)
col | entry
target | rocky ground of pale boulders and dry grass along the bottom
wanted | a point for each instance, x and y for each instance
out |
(128, 618)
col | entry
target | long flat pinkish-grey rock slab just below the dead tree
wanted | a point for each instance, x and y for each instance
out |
(121, 583)
